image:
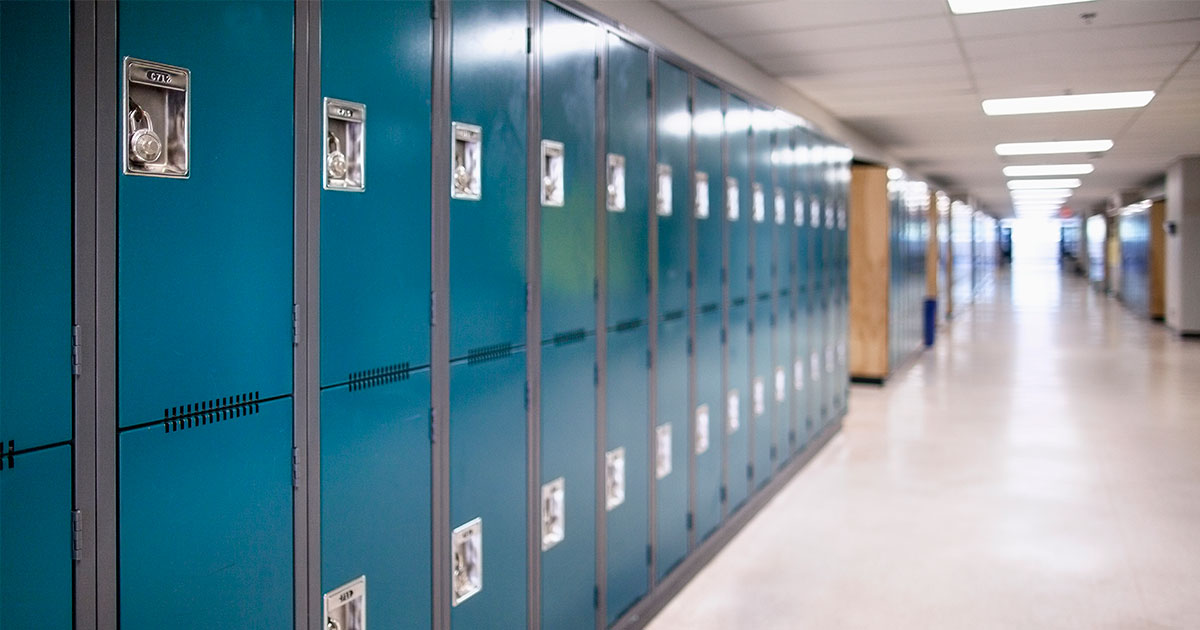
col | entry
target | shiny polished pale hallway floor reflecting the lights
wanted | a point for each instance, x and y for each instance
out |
(1039, 470)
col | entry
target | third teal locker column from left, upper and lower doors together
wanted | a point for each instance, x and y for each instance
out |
(375, 292)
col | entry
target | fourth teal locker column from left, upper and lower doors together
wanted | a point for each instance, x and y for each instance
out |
(489, 500)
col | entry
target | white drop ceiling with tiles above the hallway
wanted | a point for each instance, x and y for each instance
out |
(910, 76)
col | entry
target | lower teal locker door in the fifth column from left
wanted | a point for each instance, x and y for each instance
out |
(568, 478)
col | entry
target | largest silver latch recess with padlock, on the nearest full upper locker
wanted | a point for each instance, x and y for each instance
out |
(157, 119)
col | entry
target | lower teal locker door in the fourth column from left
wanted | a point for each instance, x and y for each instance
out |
(488, 483)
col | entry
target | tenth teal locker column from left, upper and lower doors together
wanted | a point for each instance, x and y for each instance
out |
(763, 217)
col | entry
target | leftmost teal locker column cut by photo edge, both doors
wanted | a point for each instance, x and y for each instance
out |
(35, 325)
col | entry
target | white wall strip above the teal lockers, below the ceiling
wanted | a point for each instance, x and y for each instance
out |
(665, 29)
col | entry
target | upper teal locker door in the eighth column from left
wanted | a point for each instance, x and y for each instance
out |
(710, 209)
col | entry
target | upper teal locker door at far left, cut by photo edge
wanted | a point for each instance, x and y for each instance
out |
(35, 221)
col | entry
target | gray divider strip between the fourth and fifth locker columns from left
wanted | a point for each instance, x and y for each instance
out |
(533, 319)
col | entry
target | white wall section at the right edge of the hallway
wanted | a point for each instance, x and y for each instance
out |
(1184, 248)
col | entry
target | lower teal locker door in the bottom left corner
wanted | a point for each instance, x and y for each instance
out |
(35, 541)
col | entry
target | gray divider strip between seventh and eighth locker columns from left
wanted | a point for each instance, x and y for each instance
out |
(693, 227)
